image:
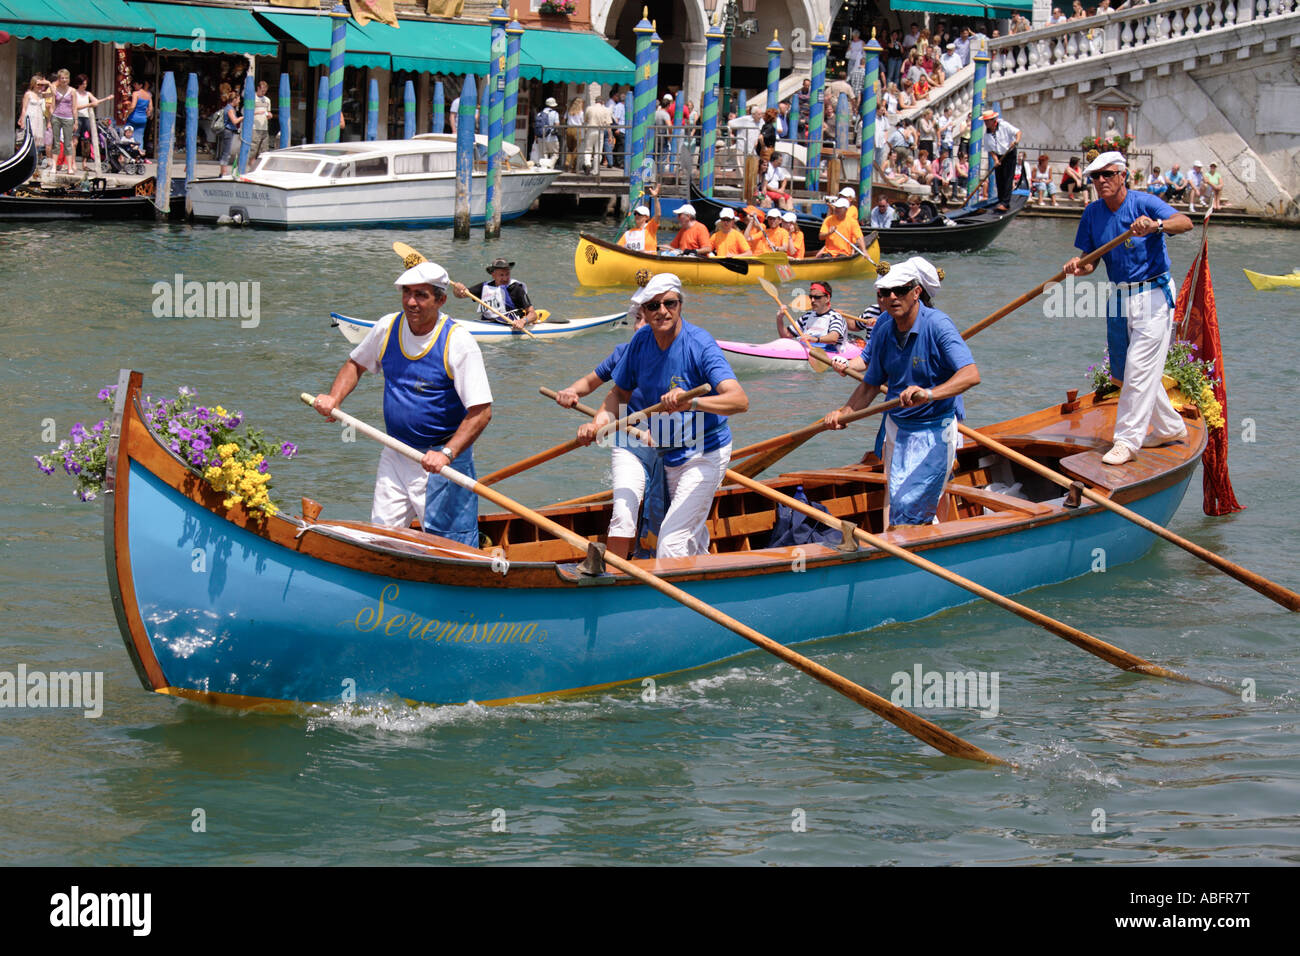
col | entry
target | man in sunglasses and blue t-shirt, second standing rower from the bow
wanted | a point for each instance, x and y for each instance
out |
(662, 362)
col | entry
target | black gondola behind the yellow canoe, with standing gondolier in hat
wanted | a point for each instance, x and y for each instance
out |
(963, 231)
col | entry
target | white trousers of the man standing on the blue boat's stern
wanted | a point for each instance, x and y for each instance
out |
(1143, 401)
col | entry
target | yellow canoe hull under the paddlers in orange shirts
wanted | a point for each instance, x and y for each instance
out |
(600, 263)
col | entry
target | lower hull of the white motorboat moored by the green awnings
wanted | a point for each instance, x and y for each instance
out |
(406, 202)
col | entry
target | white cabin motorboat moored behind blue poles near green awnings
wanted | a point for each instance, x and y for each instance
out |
(408, 183)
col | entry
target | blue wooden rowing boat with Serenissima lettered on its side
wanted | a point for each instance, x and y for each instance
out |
(294, 611)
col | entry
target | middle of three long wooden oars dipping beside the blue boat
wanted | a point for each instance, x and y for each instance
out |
(1094, 646)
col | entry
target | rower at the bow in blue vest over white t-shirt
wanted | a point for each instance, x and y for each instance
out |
(436, 400)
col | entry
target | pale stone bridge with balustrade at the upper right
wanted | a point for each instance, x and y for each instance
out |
(1215, 81)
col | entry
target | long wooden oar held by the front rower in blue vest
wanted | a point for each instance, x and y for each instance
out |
(920, 728)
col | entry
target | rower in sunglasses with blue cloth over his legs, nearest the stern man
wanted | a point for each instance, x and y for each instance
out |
(922, 357)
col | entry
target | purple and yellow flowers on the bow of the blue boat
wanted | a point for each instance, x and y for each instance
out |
(206, 438)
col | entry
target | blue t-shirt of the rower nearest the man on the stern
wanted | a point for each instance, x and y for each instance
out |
(930, 356)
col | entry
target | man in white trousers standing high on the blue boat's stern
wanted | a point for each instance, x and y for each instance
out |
(1141, 309)
